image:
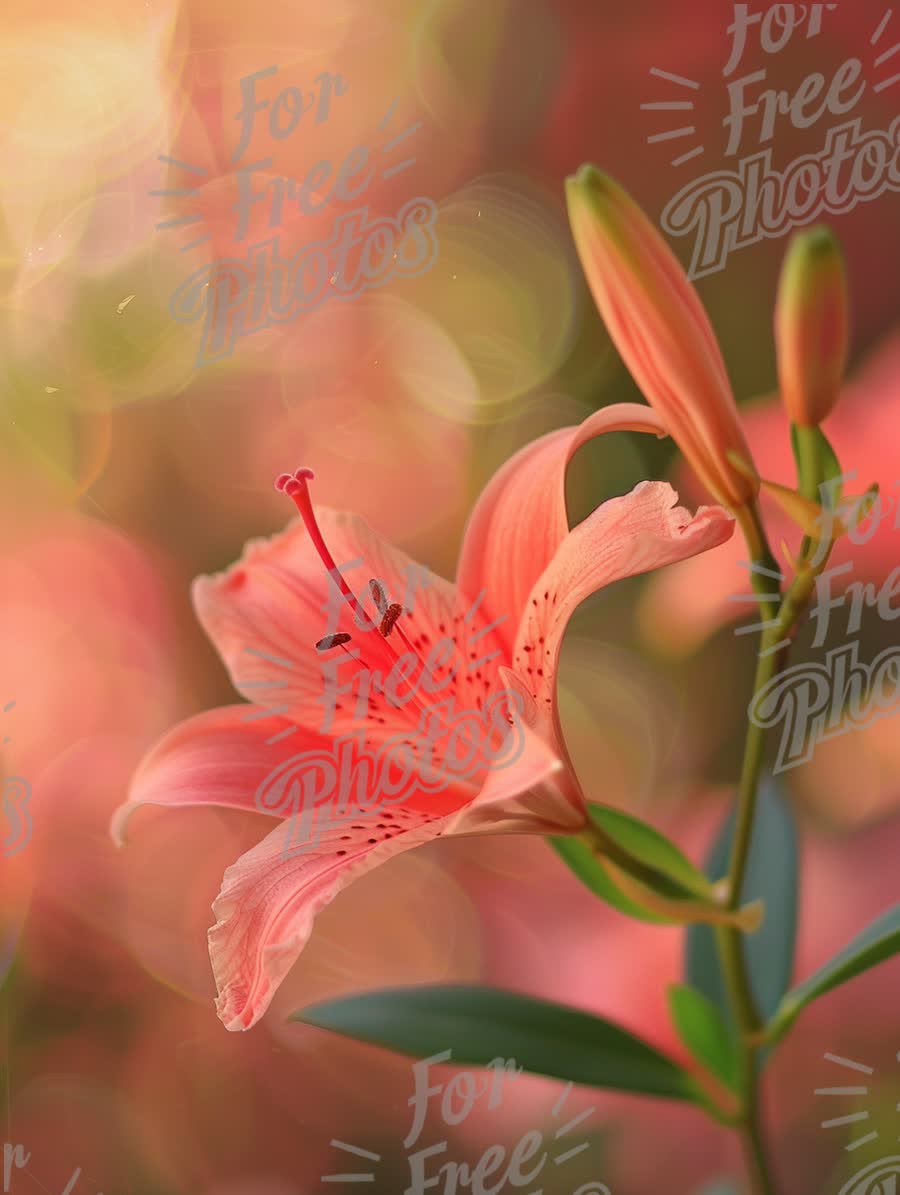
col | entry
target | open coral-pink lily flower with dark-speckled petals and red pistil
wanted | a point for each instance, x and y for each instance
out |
(455, 655)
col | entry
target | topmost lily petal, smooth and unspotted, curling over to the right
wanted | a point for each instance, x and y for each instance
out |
(521, 519)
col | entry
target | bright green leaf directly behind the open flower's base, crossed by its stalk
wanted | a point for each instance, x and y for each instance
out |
(678, 877)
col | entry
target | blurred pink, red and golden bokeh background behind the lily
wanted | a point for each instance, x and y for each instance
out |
(127, 469)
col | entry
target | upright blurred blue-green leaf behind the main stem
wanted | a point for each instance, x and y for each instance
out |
(772, 877)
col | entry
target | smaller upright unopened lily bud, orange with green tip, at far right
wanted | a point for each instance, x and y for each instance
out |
(812, 327)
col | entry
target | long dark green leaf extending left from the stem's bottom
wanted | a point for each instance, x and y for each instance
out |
(479, 1025)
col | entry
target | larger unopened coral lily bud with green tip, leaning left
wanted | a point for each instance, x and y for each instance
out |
(658, 323)
